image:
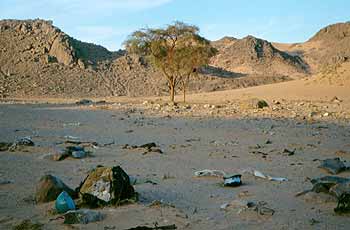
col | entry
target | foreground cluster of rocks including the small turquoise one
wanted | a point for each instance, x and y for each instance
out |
(103, 186)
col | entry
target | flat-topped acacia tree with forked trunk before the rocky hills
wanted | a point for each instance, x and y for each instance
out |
(177, 51)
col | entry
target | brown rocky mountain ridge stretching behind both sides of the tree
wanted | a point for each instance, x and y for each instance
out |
(37, 59)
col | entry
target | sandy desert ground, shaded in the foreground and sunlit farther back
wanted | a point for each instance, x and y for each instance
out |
(217, 131)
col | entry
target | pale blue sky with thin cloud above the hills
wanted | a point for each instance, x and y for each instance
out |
(109, 22)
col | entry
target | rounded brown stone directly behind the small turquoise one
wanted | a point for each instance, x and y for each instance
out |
(49, 187)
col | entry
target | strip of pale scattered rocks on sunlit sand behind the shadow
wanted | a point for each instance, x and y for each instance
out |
(301, 110)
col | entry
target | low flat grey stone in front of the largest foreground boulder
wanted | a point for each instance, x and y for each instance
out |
(82, 216)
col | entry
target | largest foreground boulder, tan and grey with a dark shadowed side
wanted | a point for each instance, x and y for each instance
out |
(105, 186)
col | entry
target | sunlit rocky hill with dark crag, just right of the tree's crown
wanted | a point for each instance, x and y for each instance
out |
(252, 55)
